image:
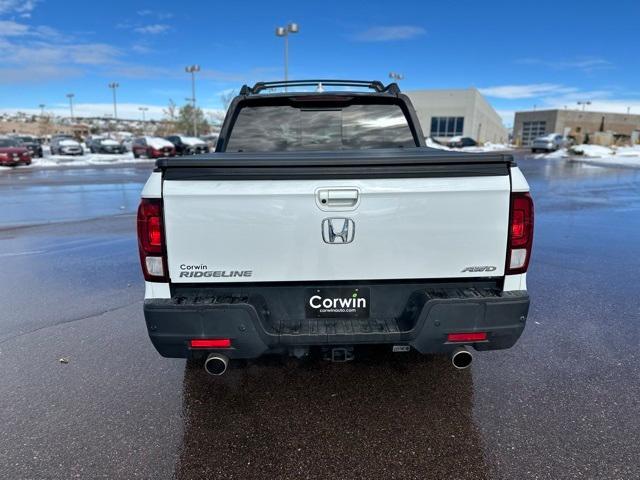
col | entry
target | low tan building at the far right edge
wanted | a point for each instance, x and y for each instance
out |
(583, 127)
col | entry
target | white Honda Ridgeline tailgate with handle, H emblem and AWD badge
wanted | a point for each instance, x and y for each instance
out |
(221, 229)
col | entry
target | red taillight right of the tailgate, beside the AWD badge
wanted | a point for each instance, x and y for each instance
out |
(520, 233)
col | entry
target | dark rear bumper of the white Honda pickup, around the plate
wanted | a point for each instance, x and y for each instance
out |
(262, 320)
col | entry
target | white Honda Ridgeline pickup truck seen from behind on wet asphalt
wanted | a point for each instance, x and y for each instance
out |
(322, 222)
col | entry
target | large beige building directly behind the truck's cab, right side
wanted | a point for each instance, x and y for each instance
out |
(447, 113)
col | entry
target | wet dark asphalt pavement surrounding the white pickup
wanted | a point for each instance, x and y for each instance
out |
(563, 403)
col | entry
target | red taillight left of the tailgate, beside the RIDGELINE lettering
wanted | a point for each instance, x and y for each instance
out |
(151, 240)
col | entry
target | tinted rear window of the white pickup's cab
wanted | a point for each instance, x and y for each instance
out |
(287, 128)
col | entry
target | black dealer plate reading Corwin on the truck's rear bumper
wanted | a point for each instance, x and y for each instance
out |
(337, 302)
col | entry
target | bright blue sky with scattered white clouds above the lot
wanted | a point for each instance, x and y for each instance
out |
(519, 54)
